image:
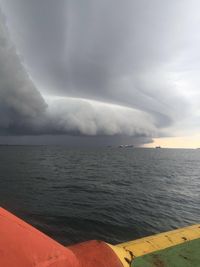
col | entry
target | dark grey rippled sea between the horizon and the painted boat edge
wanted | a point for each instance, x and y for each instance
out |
(109, 194)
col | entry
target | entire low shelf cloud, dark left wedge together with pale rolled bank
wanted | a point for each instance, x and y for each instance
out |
(23, 110)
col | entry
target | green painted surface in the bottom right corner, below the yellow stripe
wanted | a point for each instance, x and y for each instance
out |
(183, 255)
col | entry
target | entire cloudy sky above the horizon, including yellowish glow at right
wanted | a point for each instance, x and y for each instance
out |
(100, 72)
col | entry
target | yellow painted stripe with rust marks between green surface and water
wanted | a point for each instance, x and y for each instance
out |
(127, 251)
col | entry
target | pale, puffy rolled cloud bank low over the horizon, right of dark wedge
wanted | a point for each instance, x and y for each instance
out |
(95, 118)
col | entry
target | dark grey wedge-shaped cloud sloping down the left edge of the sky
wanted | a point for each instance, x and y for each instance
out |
(19, 99)
